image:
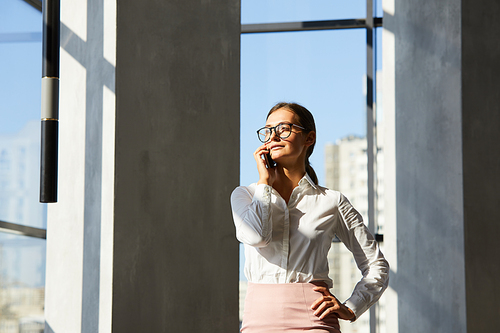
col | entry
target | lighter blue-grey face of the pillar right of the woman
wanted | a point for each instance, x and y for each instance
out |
(429, 184)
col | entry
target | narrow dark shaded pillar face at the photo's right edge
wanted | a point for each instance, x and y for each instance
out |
(481, 161)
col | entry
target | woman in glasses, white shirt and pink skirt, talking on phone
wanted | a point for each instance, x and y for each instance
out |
(287, 223)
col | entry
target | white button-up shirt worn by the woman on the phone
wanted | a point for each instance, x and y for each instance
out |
(287, 243)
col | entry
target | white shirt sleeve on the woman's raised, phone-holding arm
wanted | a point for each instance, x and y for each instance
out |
(252, 215)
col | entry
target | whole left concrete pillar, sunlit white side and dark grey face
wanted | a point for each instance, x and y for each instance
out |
(142, 239)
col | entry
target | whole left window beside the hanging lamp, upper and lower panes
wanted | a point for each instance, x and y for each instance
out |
(22, 259)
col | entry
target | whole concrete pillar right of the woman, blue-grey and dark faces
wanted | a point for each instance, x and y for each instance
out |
(440, 59)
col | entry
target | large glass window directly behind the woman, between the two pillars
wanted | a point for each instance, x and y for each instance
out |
(326, 72)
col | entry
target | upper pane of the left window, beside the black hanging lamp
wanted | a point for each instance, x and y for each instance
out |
(20, 86)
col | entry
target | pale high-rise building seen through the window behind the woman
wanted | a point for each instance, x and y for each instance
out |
(346, 171)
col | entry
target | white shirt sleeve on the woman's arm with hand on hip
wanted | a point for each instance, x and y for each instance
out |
(371, 262)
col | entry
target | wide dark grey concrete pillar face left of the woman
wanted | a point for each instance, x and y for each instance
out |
(177, 161)
